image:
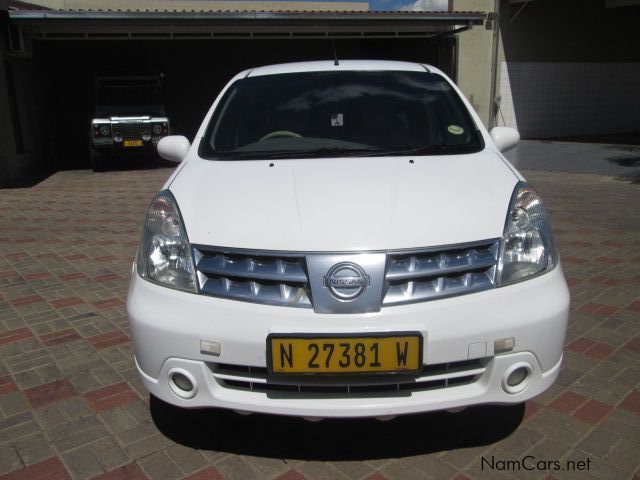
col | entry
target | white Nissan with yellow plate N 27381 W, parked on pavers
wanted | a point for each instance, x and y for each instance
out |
(346, 240)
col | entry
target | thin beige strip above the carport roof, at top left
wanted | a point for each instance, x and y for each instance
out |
(200, 5)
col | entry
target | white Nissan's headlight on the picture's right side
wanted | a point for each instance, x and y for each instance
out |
(527, 242)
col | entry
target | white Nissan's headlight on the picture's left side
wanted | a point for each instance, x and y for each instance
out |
(165, 255)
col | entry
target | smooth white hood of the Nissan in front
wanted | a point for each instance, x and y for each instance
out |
(344, 204)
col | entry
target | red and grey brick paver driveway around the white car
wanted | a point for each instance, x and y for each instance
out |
(71, 405)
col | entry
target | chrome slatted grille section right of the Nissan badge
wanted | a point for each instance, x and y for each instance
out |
(428, 274)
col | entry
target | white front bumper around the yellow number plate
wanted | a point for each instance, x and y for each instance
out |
(168, 326)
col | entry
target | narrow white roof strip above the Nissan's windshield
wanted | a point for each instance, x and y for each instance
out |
(343, 65)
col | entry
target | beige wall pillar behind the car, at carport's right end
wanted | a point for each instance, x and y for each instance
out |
(475, 57)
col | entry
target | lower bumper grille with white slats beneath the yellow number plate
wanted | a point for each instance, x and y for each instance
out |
(256, 379)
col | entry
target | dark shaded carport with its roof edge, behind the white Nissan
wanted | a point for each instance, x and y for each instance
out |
(55, 81)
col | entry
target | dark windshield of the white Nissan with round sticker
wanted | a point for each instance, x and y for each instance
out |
(331, 114)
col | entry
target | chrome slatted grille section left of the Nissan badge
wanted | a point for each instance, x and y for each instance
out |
(258, 277)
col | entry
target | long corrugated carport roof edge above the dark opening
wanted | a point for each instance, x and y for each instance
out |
(164, 25)
